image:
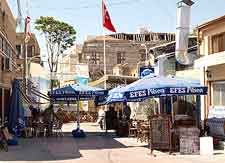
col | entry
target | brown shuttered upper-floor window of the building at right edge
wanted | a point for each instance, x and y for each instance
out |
(218, 43)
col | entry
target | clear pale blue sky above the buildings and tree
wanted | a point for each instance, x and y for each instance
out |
(126, 15)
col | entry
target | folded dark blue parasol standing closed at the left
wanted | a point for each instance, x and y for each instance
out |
(16, 110)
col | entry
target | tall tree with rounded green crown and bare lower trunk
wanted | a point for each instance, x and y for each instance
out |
(58, 36)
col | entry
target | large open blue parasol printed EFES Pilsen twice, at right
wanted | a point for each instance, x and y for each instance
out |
(152, 86)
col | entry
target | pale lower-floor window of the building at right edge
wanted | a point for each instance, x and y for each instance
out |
(218, 93)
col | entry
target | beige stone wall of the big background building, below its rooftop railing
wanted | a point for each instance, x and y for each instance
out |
(131, 52)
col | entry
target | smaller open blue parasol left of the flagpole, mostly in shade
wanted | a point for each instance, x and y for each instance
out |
(76, 92)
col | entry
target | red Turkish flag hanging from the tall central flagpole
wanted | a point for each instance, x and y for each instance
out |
(106, 18)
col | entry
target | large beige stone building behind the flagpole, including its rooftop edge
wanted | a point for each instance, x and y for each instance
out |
(124, 52)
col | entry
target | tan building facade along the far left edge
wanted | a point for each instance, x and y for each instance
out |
(7, 54)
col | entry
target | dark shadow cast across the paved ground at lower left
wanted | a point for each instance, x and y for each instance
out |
(60, 148)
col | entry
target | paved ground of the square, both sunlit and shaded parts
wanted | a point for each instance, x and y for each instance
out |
(98, 147)
